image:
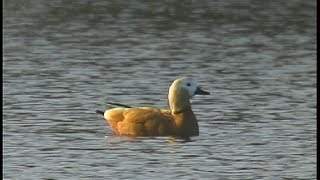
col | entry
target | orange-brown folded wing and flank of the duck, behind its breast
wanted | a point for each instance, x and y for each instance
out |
(140, 121)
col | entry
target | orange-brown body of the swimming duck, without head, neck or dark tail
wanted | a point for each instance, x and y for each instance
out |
(152, 122)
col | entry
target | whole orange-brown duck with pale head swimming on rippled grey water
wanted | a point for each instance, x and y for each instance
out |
(179, 120)
